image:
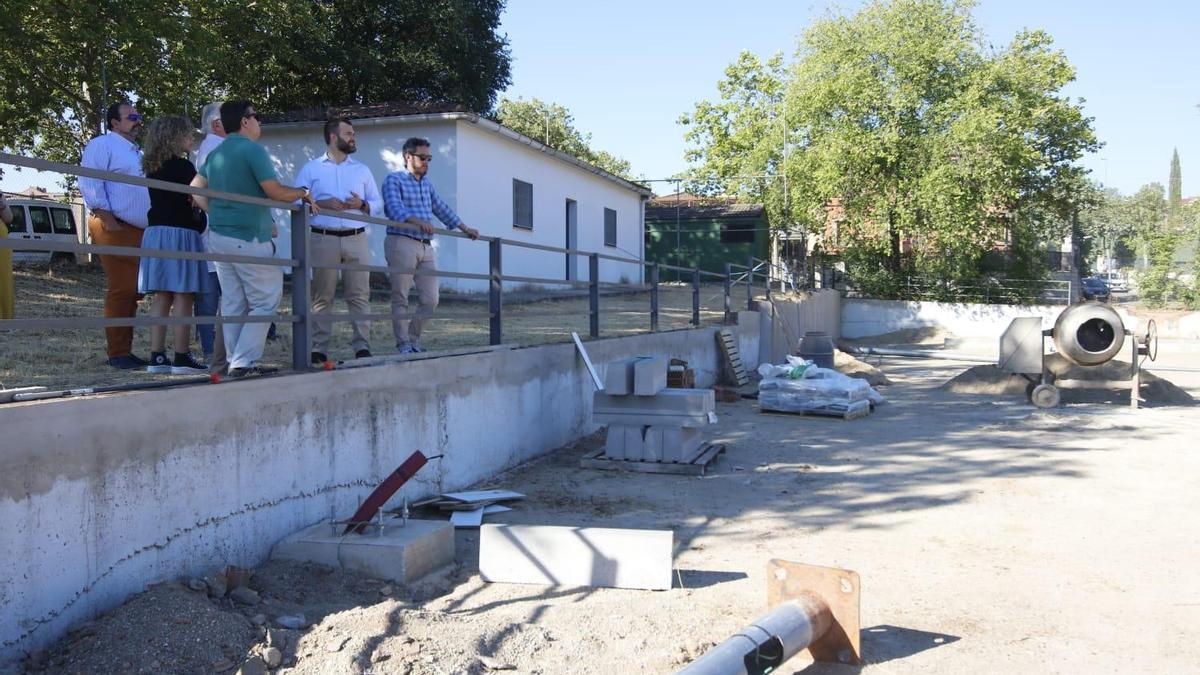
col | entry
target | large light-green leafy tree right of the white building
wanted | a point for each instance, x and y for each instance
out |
(932, 144)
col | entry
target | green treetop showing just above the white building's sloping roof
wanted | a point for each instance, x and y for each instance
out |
(555, 127)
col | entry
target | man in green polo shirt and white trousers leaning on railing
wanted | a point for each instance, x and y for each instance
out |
(242, 166)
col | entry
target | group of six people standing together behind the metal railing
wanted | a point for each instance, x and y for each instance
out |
(231, 160)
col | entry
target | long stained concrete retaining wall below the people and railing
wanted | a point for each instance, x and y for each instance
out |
(101, 497)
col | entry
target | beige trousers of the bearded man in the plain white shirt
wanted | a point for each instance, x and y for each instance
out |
(326, 250)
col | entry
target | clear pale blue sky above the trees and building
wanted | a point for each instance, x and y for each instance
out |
(628, 70)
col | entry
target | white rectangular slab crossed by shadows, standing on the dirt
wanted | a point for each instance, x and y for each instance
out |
(577, 557)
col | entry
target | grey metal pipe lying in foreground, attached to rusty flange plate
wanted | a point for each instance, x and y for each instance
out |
(770, 642)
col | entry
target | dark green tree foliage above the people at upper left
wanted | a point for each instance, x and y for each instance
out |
(67, 59)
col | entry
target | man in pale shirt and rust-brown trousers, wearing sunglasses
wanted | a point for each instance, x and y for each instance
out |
(117, 218)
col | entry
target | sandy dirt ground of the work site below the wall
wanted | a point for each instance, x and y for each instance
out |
(991, 537)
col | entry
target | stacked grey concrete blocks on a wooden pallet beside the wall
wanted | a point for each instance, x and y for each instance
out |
(647, 422)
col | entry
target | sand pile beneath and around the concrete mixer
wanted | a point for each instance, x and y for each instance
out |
(994, 381)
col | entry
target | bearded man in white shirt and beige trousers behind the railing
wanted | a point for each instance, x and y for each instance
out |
(339, 183)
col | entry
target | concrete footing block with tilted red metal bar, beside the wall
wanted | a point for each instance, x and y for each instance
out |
(404, 554)
